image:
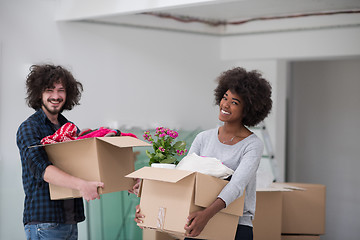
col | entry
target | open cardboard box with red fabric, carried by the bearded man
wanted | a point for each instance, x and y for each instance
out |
(105, 159)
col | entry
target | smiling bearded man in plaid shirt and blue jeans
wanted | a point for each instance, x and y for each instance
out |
(50, 90)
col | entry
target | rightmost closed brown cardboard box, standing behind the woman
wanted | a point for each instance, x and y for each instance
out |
(304, 211)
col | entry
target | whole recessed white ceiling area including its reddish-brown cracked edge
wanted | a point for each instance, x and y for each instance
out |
(224, 17)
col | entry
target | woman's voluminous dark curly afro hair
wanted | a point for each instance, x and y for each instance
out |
(254, 90)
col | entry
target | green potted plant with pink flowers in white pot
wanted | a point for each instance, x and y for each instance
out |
(165, 150)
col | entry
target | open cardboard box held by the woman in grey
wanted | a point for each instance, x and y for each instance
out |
(168, 196)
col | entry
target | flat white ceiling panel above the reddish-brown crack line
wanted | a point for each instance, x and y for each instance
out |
(237, 10)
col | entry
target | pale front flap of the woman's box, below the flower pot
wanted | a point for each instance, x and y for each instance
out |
(160, 174)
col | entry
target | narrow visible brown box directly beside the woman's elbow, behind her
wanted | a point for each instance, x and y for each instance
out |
(268, 214)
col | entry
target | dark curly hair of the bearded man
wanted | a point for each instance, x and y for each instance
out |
(45, 76)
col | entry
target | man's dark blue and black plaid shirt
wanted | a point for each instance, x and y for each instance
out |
(37, 206)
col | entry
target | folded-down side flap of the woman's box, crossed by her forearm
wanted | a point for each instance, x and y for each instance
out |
(207, 190)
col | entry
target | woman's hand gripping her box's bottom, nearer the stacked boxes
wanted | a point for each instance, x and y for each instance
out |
(196, 222)
